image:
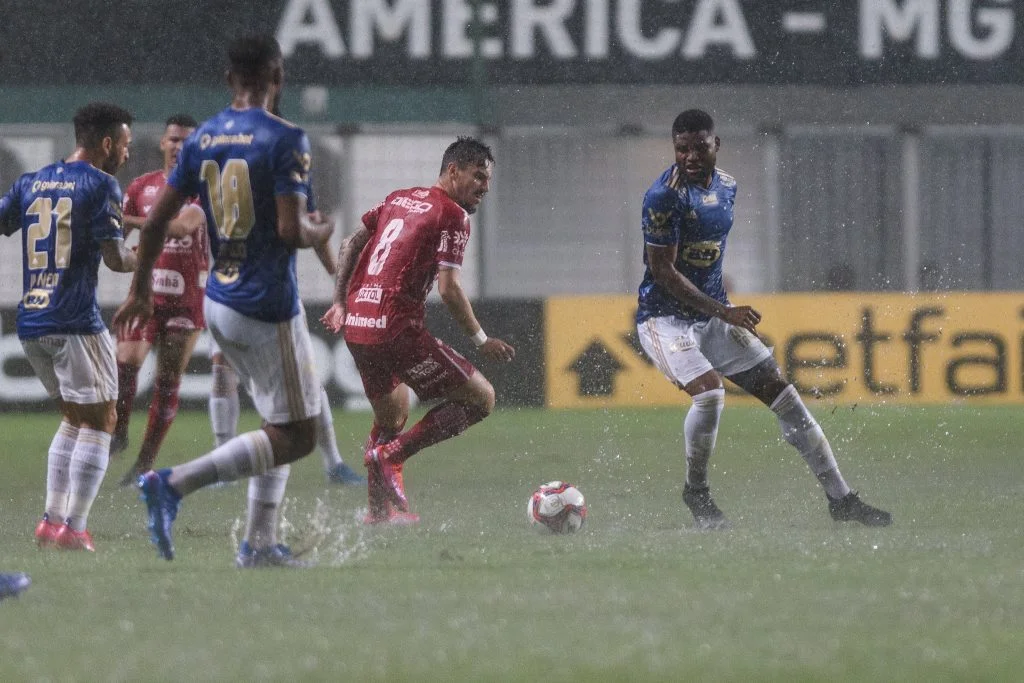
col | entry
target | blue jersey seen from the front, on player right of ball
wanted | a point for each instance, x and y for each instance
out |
(698, 222)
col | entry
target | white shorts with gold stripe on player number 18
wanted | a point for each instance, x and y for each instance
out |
(274, 360)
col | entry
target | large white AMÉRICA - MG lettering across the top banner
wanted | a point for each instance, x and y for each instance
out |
(568, 30)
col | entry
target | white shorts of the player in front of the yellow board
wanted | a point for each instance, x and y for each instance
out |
(685, 352)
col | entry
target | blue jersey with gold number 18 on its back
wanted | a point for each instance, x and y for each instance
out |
(238, 162)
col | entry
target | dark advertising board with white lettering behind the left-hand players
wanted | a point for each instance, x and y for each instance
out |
(519, 322)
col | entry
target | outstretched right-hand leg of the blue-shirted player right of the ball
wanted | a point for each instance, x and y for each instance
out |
(801, 431)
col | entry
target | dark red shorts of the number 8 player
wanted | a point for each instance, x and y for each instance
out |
(429, 366)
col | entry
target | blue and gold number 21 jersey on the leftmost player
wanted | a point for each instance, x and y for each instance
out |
(66, 211)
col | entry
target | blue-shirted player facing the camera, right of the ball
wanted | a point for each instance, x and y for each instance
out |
(696, 336)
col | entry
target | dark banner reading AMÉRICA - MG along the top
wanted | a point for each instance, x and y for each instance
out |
(438, 42)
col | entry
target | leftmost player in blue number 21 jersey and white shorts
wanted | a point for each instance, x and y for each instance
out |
(70, 218)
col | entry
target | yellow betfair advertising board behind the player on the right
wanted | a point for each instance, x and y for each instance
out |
(846, 349)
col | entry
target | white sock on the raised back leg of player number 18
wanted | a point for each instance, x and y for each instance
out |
(245, 456)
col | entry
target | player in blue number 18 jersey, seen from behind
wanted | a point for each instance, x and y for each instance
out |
(251, 170)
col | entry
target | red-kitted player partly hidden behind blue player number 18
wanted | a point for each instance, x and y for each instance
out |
(179, 285)
